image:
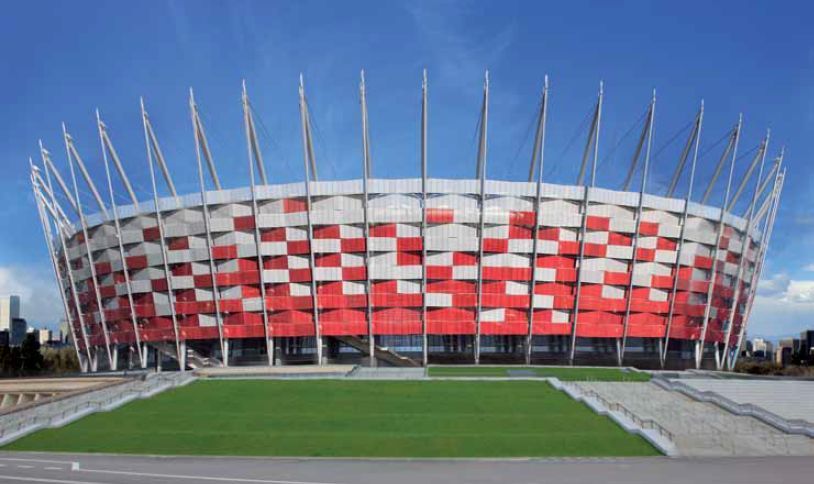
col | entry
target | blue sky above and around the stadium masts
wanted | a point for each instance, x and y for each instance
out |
(62, 60)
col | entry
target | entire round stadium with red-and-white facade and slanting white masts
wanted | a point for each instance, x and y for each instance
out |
(409, 271)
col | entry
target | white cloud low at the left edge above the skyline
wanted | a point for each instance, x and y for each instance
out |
(39, 298)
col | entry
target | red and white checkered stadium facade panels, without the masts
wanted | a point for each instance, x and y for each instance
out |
(394, 246)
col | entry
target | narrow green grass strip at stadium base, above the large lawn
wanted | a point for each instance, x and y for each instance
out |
(564, 374)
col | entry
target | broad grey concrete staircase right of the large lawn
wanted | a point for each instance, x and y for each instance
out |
(698, 428)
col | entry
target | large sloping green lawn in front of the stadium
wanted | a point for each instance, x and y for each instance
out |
(348, 419)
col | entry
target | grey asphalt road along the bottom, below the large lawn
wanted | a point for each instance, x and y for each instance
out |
(102, 469)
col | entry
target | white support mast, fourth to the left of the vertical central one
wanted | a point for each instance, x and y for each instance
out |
(199, 137)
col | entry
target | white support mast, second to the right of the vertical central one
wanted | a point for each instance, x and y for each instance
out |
(538, 153)
